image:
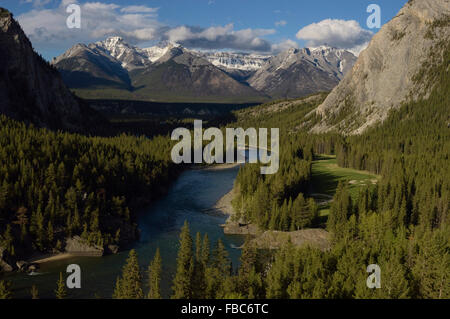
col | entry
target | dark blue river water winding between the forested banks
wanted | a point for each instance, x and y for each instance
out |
(190, 198)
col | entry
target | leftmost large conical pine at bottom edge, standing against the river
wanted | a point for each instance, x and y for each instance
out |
(128, 286)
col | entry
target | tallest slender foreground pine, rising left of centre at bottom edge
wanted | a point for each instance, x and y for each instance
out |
(182, 284)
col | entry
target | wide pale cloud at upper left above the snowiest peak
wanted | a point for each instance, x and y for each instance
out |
(47, 28)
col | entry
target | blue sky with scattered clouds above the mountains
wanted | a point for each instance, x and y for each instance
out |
(239, 25)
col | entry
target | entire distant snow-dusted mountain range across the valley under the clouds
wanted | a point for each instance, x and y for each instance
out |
(114, 69)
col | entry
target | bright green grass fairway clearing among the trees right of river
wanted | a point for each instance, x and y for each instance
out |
(326, 175)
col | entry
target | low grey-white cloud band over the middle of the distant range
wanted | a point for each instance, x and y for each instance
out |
(220, 37)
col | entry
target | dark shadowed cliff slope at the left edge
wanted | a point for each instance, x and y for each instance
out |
(30, 89)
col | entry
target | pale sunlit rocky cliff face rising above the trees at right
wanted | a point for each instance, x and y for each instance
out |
(388, 71)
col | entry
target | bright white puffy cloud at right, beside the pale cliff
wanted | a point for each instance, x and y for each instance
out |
(345, 34)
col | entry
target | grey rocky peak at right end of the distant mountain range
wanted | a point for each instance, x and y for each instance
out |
(299, 72)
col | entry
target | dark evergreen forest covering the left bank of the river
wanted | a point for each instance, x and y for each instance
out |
(56, 185)
